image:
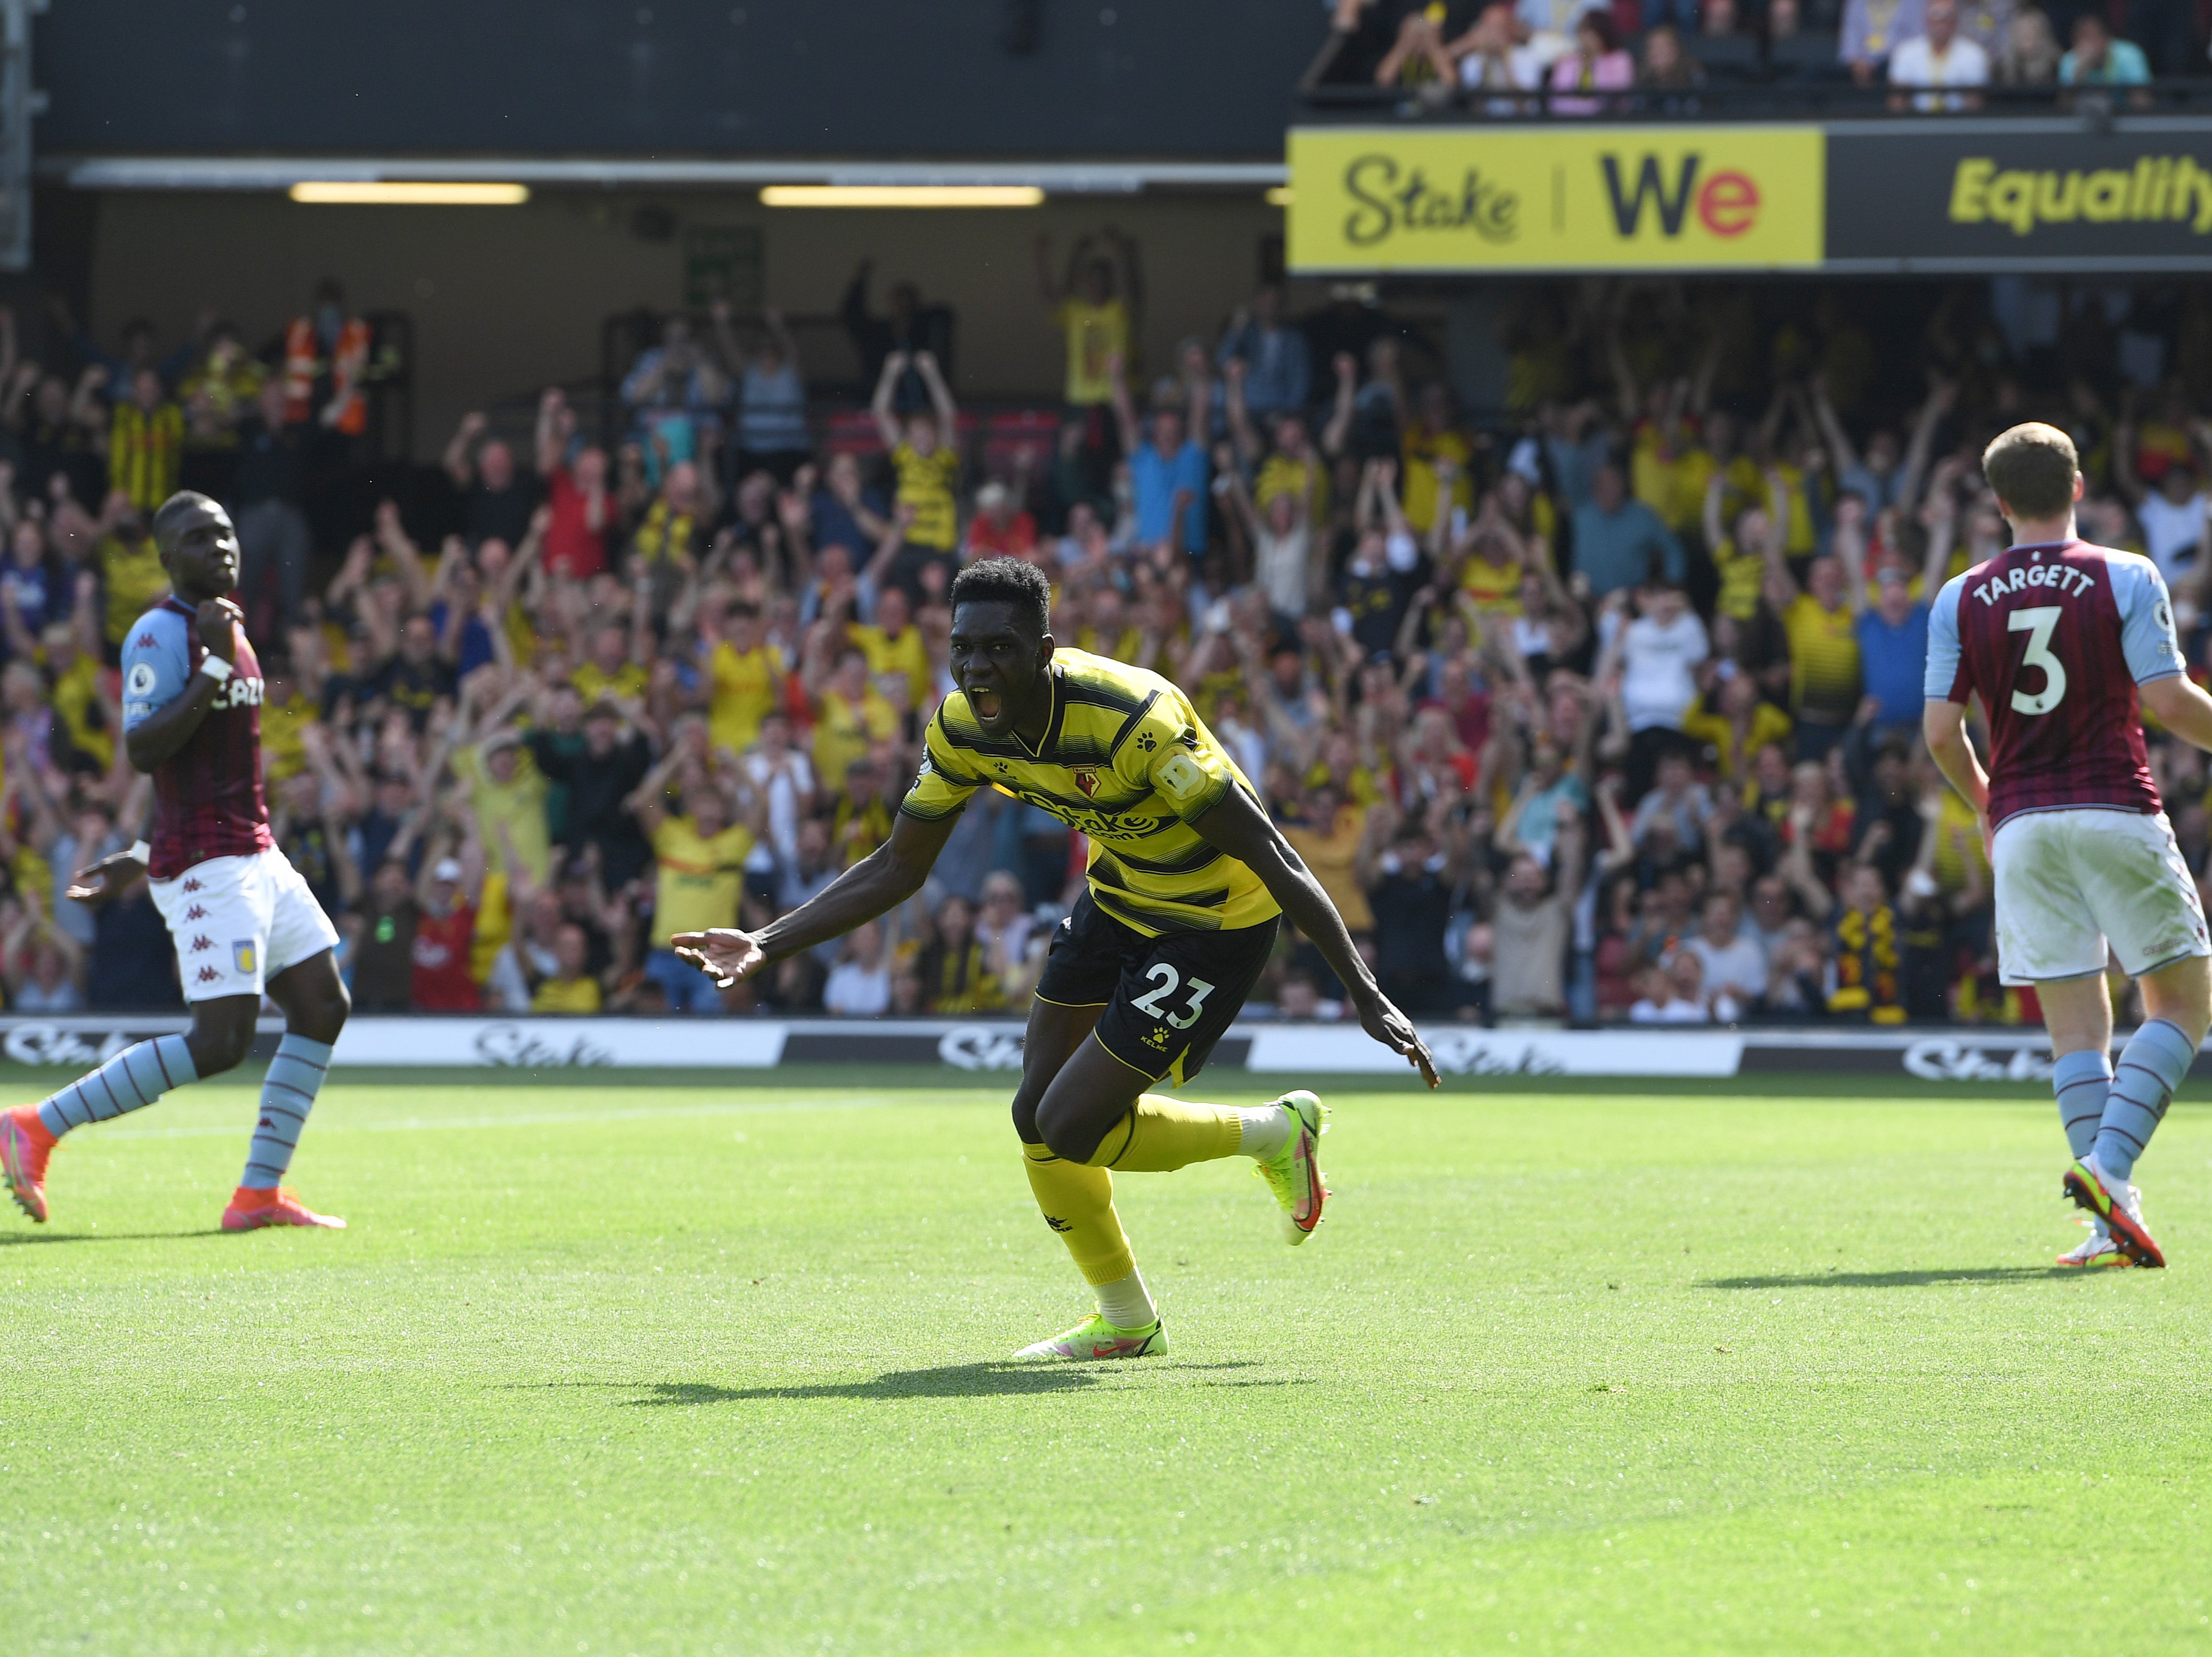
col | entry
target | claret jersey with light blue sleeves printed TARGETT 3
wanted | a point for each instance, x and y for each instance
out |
(2056, 640)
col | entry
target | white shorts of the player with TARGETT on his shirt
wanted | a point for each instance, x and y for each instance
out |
(2074, 882)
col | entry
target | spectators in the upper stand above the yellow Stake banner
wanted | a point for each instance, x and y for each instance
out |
(1656, 54)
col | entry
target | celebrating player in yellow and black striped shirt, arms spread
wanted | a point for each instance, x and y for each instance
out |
(1189, 879)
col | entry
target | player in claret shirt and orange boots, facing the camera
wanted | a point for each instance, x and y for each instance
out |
(240, 913)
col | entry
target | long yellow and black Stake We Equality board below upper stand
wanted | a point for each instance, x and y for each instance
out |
(1877, 196)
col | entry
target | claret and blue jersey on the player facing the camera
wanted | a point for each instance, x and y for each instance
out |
(209, 793)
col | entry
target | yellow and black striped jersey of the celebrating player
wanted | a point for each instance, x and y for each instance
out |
(1129, 762)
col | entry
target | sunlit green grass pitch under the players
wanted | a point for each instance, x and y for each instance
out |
(609, 1368)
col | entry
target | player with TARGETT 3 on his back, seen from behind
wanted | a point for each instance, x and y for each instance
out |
(2067, 645)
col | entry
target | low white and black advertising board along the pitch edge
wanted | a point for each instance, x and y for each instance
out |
(941, 1050)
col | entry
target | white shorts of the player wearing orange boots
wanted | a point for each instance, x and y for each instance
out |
(240, 921)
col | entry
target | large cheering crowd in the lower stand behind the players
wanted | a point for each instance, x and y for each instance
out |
(1603, 707)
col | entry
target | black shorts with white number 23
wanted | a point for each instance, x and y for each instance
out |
(1167, 999)
